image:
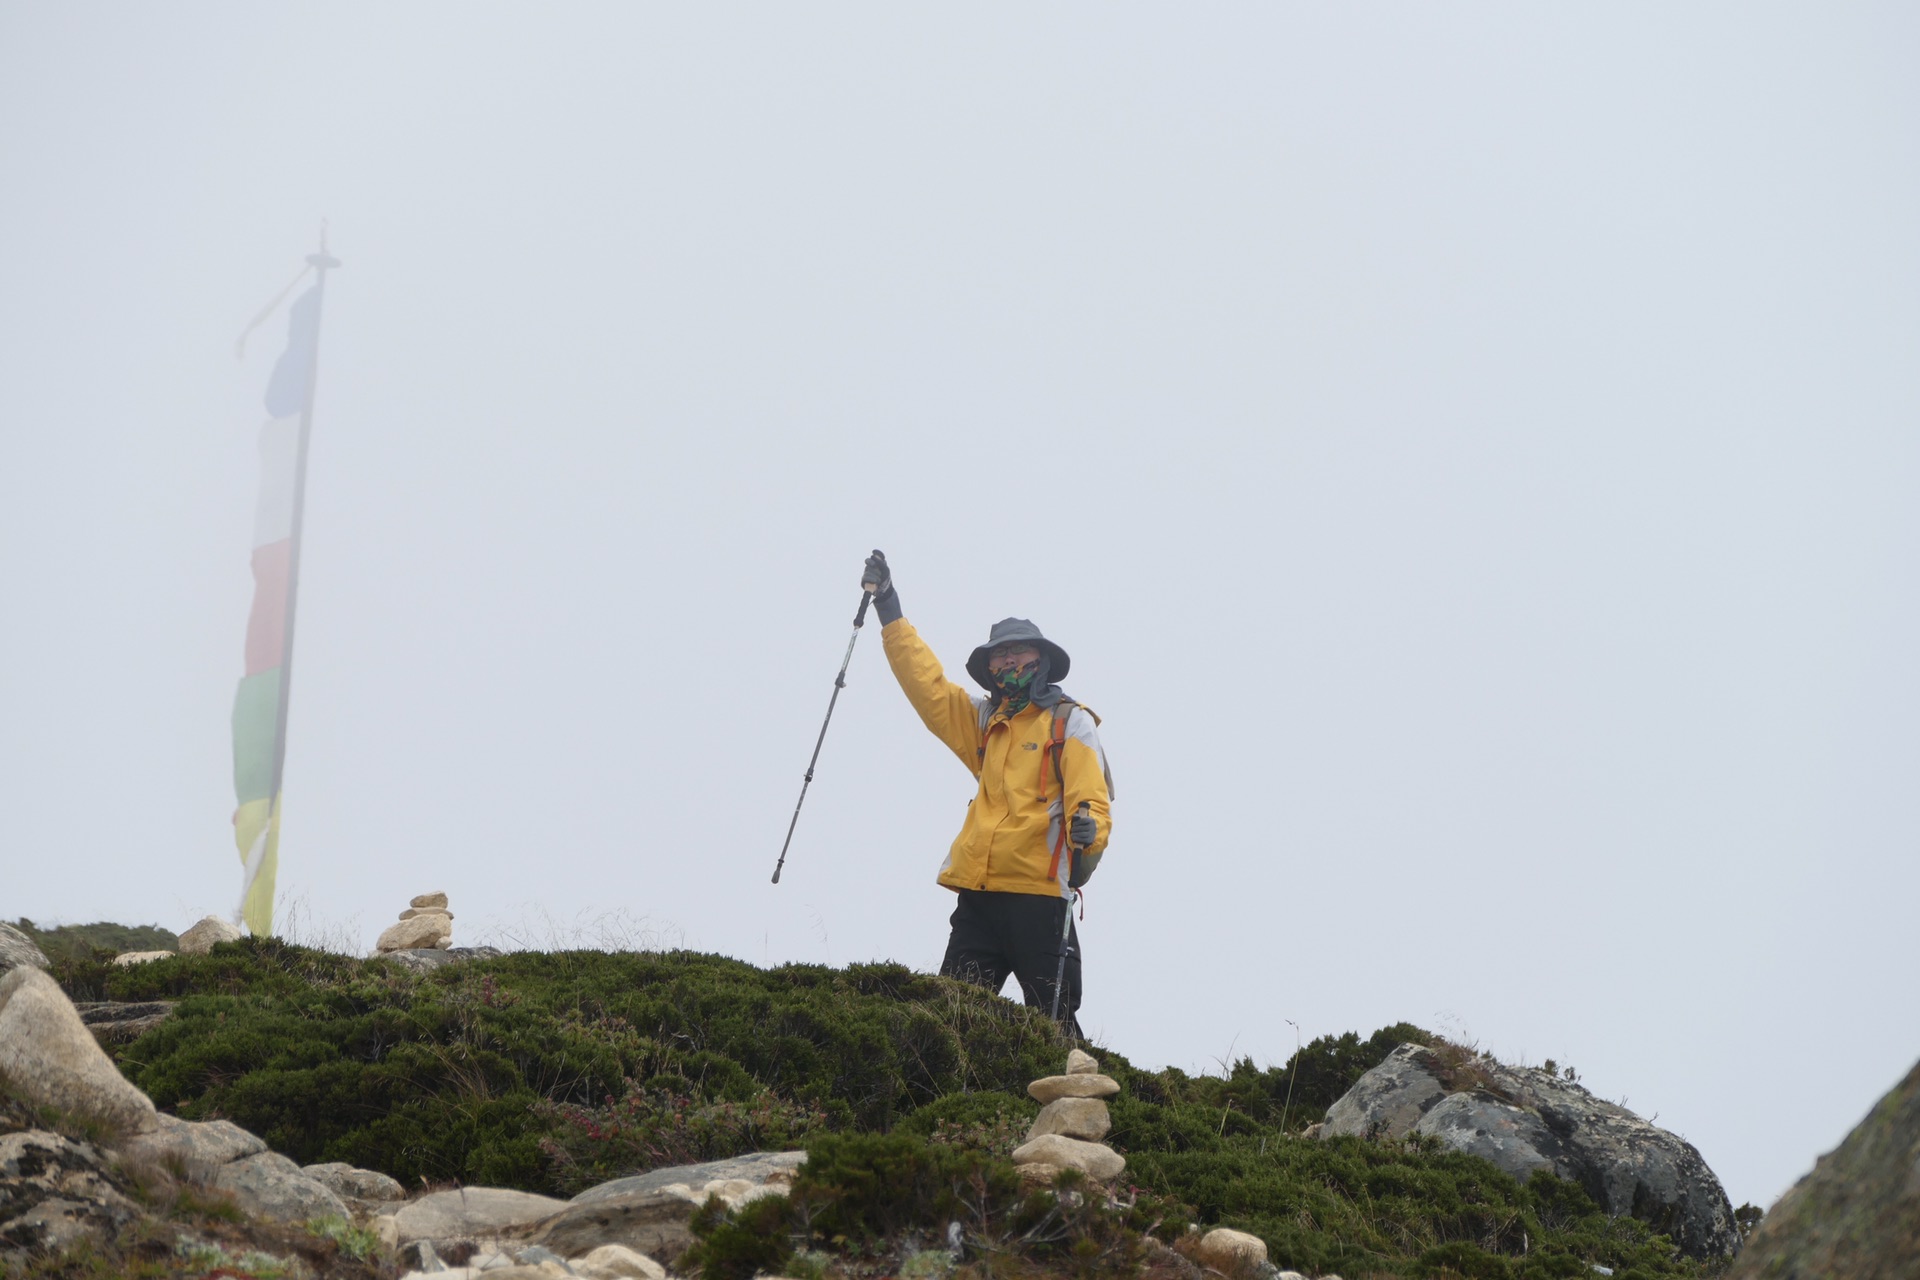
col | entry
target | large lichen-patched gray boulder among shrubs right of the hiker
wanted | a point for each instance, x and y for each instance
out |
(1524, 1120)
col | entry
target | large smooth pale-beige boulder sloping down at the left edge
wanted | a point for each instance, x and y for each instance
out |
(51, 1058)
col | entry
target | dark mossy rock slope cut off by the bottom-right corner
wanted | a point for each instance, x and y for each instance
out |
(1858, 1212)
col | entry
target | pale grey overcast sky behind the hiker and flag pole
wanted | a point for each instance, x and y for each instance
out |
(1470, 454)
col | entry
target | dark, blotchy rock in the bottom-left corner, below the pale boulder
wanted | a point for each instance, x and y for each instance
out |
(57, 1193)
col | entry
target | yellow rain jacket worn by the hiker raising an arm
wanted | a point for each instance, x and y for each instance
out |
(1011, 840)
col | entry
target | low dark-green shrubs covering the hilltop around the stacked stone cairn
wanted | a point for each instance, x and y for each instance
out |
(552, 1072)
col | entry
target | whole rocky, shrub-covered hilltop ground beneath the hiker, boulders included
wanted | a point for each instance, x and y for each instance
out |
(1479, 1168)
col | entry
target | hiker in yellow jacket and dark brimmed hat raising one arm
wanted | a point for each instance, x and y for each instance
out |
(1038, 759)
